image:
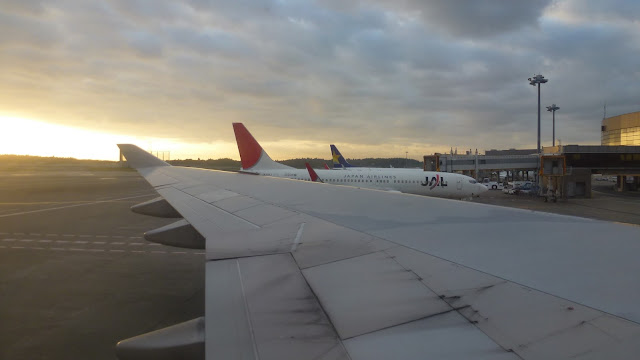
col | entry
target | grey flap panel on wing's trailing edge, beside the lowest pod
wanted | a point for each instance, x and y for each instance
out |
(261, 307)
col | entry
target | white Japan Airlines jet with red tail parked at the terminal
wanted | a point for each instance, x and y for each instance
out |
(256, 161)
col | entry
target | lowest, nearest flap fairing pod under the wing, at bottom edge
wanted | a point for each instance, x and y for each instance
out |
(180, 341)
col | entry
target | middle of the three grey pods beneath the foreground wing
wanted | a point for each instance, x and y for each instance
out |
(179, 234)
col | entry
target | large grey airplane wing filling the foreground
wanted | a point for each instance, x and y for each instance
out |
(299, 270)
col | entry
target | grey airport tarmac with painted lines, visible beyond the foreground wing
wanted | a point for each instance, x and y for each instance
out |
(76, 276)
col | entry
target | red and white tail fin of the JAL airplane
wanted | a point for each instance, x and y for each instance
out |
(252, 155)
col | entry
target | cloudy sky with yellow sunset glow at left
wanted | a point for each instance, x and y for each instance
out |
(377, 78)
